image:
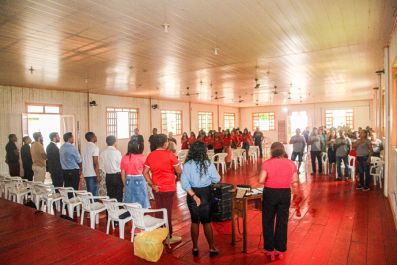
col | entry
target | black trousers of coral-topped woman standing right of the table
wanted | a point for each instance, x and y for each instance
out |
(275, 205)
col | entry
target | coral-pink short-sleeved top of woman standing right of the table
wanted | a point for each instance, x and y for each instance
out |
(279, 172)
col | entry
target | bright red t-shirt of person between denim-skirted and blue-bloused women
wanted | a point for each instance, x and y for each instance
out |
(161, 164)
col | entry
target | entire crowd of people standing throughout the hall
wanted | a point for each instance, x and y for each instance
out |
(129, 177)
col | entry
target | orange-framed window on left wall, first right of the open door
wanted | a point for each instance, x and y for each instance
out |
(121, 122)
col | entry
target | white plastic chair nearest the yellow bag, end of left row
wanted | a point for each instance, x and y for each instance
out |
(145, 222)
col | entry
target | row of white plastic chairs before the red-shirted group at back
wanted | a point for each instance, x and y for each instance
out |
(238, 157)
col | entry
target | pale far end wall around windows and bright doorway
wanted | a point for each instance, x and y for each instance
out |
(362, 114)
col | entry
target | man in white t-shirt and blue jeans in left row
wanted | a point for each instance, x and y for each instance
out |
(90, 156)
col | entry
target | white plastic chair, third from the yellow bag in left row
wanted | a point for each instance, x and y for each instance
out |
(91, 206)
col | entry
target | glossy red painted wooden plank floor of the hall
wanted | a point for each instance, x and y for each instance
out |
(330, 223)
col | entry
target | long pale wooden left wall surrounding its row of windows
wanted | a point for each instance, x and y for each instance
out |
(13, 101)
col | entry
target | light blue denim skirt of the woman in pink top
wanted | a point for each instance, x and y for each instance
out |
(136, 191)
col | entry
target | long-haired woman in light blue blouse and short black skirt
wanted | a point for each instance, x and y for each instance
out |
(197, 176)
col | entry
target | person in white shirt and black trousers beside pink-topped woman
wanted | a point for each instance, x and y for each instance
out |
(110, 159)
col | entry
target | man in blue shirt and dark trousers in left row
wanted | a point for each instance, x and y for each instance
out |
(70, 162)
